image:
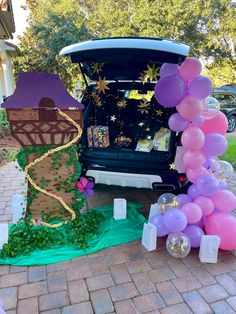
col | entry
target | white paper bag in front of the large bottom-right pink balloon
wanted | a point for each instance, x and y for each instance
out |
(209, 247)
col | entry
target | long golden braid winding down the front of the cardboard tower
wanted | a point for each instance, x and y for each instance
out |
(51, 152)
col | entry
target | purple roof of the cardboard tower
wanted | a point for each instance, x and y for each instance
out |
(32, 87)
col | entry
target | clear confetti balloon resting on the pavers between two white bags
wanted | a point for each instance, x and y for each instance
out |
(178, 244)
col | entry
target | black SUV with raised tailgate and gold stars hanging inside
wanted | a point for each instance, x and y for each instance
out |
(120, 76)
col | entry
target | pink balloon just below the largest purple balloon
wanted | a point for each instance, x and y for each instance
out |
(190, 108)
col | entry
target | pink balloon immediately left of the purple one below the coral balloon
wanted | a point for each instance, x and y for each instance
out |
(193, 138)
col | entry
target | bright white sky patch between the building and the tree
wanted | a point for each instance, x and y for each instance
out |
(20, 17)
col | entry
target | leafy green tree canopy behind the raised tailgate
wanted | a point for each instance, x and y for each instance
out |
(206, 25)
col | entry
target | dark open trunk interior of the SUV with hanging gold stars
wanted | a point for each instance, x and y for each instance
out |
(139, 118)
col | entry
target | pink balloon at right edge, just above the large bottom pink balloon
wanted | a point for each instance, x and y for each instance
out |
(224, 200)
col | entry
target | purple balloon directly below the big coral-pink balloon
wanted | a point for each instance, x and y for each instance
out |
(215, 145)
